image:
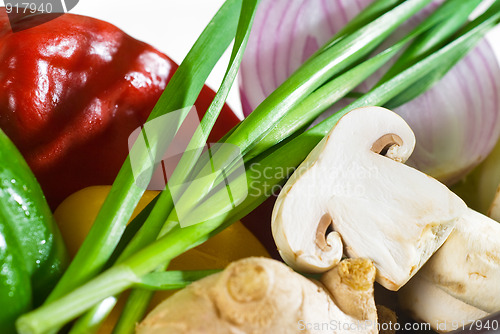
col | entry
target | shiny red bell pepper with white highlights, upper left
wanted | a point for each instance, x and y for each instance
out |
(71, 92)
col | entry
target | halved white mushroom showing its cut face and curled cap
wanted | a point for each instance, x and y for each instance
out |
(378, 207)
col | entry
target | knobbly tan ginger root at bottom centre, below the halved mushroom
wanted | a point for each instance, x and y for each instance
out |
(260, 295)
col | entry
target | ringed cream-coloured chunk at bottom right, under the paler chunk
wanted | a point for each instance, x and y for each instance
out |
(426, 302)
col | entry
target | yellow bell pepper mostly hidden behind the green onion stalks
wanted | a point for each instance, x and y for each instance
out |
(77, 213)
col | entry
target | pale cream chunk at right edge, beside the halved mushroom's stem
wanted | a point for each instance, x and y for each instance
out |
(467, 266)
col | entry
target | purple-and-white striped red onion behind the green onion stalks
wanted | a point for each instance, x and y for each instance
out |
(456, 123)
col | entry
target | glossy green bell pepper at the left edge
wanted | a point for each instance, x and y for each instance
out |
(32, 253)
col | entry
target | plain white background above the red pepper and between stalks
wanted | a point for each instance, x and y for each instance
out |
(172, 26)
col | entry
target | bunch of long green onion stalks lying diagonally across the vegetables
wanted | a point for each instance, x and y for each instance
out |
(273, 136)
